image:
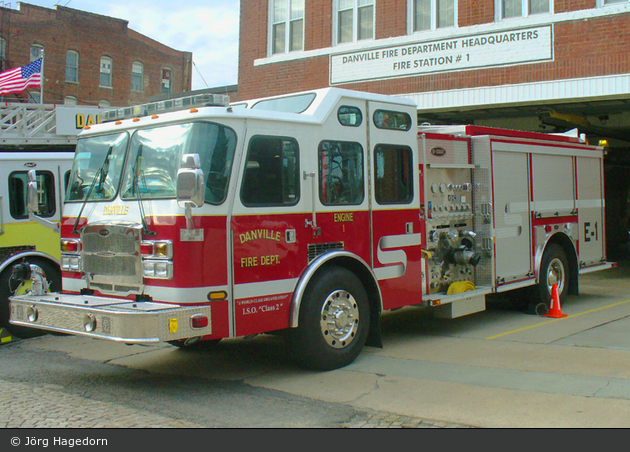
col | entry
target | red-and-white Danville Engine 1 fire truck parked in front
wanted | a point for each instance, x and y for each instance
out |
(308, 215)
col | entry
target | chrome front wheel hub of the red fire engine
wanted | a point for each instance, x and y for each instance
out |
(339, 319)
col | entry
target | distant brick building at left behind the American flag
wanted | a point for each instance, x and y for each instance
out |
(89, 59)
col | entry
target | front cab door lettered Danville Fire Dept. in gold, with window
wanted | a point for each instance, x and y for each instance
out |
(267, 230)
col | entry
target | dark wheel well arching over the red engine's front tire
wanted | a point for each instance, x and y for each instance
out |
(371, 287)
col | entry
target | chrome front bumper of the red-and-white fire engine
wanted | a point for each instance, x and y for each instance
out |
(108, 318)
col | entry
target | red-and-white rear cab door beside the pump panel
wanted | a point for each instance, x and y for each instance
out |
(395, 204)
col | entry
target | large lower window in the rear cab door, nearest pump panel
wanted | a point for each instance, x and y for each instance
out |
(394, 177)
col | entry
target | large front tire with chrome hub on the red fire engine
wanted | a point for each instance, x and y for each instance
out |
(333, 322)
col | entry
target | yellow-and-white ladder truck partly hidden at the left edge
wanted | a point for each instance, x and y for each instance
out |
(40, 138)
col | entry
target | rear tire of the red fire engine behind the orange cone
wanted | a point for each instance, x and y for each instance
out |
(554, 268)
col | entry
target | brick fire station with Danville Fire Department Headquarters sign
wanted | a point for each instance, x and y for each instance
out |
(542, 65)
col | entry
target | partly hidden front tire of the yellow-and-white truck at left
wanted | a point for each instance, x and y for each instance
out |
(9, 286)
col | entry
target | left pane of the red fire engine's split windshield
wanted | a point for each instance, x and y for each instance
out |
(97, 167)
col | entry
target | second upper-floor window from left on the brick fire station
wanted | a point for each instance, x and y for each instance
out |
(355, 20)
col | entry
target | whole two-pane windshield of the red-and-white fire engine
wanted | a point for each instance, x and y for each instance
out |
(155, 155)
